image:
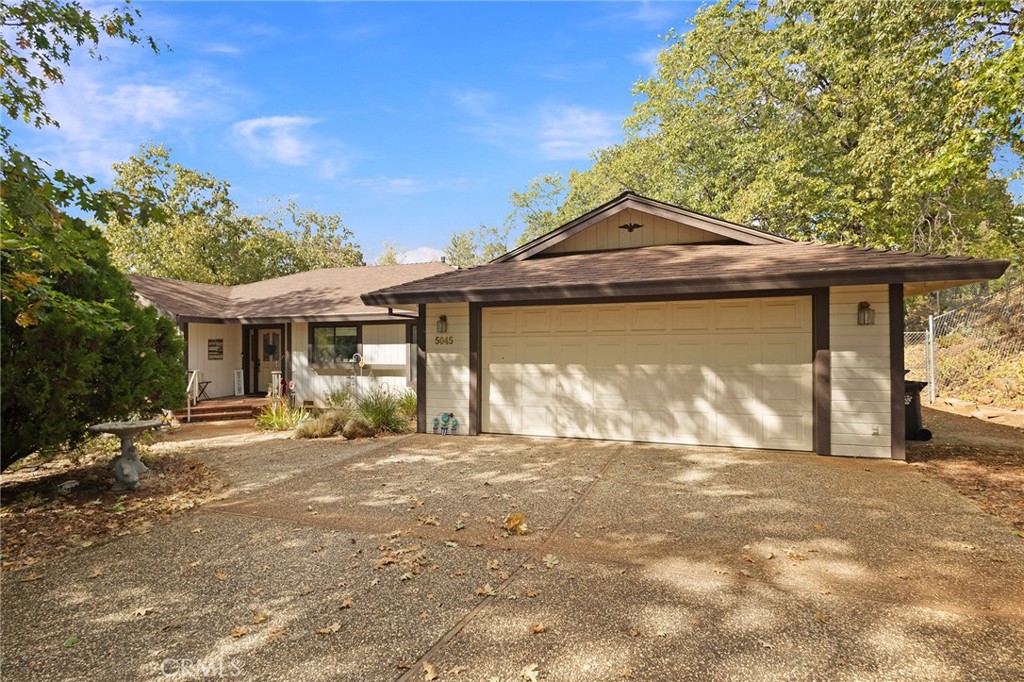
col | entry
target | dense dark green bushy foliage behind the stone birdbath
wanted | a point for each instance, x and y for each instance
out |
(76, 349)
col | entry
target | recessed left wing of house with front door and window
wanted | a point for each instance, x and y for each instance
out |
(307, 328)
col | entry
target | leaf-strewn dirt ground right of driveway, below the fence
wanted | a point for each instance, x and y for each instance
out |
(979, 459)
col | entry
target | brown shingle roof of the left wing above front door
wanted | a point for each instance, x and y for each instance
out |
(326, 294)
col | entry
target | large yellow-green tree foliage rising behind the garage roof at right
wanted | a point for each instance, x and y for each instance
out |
(867, 123)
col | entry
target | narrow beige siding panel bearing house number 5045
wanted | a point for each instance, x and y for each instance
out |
(448, 364)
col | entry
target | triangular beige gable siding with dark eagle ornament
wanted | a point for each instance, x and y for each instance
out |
(657, 231)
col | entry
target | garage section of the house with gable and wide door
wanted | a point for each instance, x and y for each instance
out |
(646, 322)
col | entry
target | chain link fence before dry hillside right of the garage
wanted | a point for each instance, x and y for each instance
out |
(973, 354)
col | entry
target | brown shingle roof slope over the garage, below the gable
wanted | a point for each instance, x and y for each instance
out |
(684, 270)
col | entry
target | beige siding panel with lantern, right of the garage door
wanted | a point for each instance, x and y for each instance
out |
(861, 374)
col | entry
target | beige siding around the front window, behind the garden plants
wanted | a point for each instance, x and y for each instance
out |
(313, 385)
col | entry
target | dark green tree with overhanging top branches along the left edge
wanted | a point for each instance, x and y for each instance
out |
(74, 347)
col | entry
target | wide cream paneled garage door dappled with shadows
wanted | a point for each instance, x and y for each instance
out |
(735, 372)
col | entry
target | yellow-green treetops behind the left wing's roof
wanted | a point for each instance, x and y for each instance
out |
(199, 234)
